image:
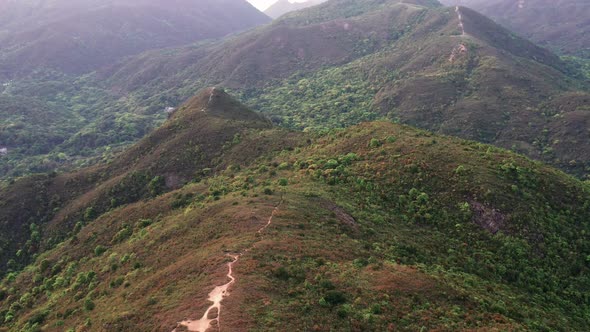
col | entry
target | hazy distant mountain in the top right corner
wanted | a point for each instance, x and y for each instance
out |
(562, 25)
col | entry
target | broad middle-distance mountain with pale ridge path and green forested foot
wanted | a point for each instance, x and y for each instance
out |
(336, 64)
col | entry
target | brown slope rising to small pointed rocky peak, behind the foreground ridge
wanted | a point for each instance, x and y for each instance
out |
(191, 141)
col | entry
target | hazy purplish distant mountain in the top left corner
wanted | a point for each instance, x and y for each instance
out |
(77, 37)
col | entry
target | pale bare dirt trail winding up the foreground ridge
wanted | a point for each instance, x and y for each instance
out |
(212, 317)
